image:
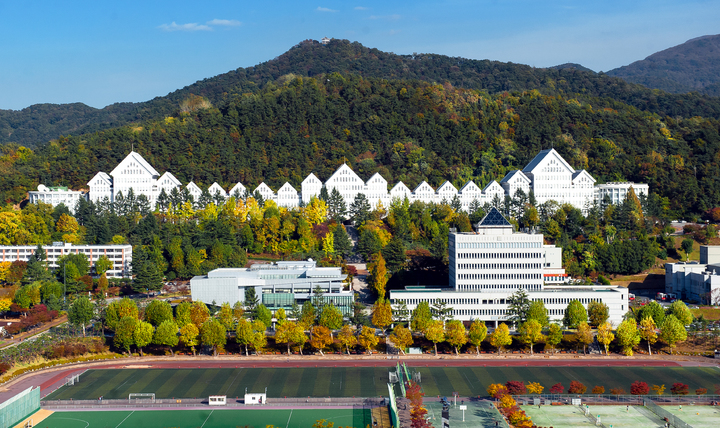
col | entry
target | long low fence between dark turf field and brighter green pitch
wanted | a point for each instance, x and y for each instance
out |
(310, 402)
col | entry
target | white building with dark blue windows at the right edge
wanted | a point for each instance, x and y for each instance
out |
(696, 282)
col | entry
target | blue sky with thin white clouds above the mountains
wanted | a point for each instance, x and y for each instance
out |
(99, 52)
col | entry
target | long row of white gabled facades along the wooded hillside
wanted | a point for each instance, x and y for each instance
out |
(548, 175)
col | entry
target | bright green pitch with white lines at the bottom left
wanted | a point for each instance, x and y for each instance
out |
(259, 418)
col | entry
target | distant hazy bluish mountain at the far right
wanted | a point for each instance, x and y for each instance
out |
(691, 66)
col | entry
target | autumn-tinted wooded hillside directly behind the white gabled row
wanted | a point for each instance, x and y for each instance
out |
(407, 130)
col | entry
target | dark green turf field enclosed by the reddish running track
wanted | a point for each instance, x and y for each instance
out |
(361, 381)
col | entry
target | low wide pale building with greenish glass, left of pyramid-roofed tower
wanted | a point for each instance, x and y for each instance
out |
(277, 285)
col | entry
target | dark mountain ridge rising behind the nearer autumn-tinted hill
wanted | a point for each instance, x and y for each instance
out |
(40, 123)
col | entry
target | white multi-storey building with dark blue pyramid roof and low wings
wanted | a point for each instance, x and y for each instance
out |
(489, 265)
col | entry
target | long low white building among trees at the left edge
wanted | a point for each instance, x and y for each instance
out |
(120, 255)
